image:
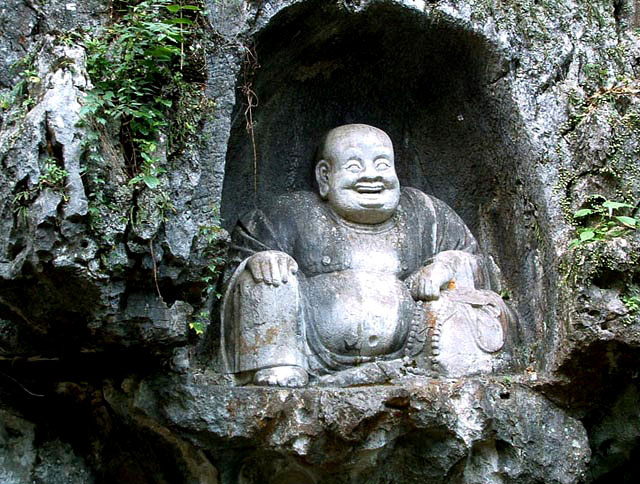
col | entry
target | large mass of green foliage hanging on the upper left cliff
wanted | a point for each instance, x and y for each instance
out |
(137, 66)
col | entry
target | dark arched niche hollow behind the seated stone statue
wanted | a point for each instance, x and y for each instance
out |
(437, 88)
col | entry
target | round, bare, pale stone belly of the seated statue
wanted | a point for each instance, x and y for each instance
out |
(359, 313)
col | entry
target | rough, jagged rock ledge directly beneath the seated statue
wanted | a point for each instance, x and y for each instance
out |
(416, 430)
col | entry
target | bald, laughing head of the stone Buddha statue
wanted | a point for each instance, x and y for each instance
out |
(356, 174)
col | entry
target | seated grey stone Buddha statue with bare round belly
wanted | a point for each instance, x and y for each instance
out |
(361, 272)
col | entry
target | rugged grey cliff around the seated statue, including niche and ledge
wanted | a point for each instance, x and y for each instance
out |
(517, 114)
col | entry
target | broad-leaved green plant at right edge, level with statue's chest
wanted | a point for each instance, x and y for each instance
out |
(604, 221)
